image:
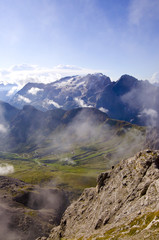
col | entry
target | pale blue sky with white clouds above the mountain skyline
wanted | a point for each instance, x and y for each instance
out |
(44, 40)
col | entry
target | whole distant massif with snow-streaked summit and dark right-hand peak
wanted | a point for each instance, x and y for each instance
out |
(128, 99)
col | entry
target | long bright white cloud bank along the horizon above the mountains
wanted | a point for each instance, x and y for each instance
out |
(23, 73)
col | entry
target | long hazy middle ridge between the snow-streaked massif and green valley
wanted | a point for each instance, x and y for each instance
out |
(29, 129)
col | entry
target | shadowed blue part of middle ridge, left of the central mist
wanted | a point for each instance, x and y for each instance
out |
(31, 126)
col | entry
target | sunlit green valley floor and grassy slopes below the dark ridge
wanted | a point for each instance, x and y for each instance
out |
(74, 164)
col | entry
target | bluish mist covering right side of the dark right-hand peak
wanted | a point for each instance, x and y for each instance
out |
(143, 102)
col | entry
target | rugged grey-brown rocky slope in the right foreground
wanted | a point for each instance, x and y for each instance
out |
(124, 204)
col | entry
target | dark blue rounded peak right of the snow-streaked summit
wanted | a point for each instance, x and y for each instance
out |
(131, 100)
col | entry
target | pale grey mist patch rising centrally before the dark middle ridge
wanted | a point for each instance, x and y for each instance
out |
(82, 129)
